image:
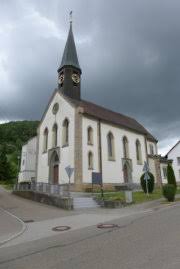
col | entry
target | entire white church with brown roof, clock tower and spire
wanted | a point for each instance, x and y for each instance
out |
(88, 137)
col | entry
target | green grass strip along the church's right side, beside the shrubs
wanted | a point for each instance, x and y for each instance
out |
(138, 197)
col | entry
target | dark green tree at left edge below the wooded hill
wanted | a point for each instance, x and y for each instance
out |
(5, 169)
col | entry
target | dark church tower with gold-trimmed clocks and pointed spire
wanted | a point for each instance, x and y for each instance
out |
(69, 72)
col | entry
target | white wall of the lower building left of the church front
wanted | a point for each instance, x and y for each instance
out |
(28, 160)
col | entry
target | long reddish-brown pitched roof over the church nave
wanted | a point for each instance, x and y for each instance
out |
(110, 116)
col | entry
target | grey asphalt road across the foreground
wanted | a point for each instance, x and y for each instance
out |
(142, 241)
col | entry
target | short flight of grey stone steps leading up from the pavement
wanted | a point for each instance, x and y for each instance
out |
(84, 202)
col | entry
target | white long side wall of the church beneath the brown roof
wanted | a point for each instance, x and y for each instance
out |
(112, 170)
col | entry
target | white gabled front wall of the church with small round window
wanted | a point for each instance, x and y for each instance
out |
(66, 153)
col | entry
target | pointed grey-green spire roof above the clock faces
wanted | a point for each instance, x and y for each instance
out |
(70, 55)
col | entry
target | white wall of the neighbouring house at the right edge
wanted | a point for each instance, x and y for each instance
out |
(174, 153)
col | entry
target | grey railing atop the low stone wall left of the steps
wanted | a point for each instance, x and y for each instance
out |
(41, 187)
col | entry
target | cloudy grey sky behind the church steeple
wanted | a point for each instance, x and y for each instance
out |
(129, 52)
